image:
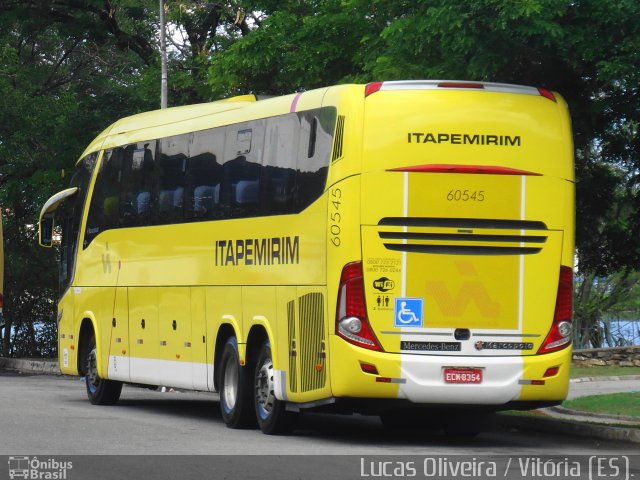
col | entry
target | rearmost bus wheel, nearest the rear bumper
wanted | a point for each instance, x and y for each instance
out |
(273, 418)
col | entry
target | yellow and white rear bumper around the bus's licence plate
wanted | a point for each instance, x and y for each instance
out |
(419, 378)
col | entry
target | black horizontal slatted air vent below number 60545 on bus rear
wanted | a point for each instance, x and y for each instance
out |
(463, 236)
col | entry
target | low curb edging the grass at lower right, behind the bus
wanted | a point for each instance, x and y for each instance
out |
(567, 427)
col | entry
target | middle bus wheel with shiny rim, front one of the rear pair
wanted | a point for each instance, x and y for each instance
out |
(235, 389)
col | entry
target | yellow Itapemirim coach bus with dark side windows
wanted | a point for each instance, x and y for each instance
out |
(394, 247)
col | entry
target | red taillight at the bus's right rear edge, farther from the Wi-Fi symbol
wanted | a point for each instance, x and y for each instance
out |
(559, 336)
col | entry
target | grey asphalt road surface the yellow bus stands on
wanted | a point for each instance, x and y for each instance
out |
(51, 415)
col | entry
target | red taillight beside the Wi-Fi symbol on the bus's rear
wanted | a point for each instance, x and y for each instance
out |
(352, 323)
